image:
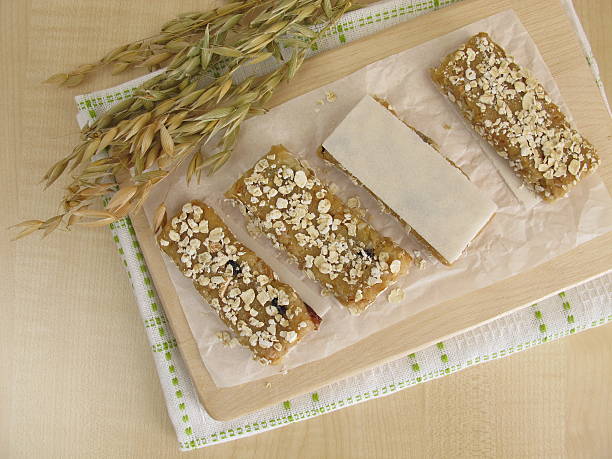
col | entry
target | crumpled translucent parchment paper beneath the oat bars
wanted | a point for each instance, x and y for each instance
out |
(518, 238)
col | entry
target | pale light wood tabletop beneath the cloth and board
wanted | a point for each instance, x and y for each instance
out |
(76, 375)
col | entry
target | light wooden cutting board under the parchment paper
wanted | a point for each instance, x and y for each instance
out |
(554, 35)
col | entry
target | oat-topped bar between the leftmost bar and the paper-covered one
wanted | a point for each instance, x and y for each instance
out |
(317, 230)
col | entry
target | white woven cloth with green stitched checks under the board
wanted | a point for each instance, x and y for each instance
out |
(583, 307)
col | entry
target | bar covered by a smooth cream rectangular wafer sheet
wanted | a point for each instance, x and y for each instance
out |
(413, 181)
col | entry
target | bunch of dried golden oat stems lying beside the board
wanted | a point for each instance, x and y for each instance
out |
(174, 114)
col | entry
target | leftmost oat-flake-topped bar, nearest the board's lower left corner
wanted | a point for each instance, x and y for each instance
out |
(266, 315)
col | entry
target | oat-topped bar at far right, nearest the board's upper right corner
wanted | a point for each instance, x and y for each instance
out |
(512, 111)
